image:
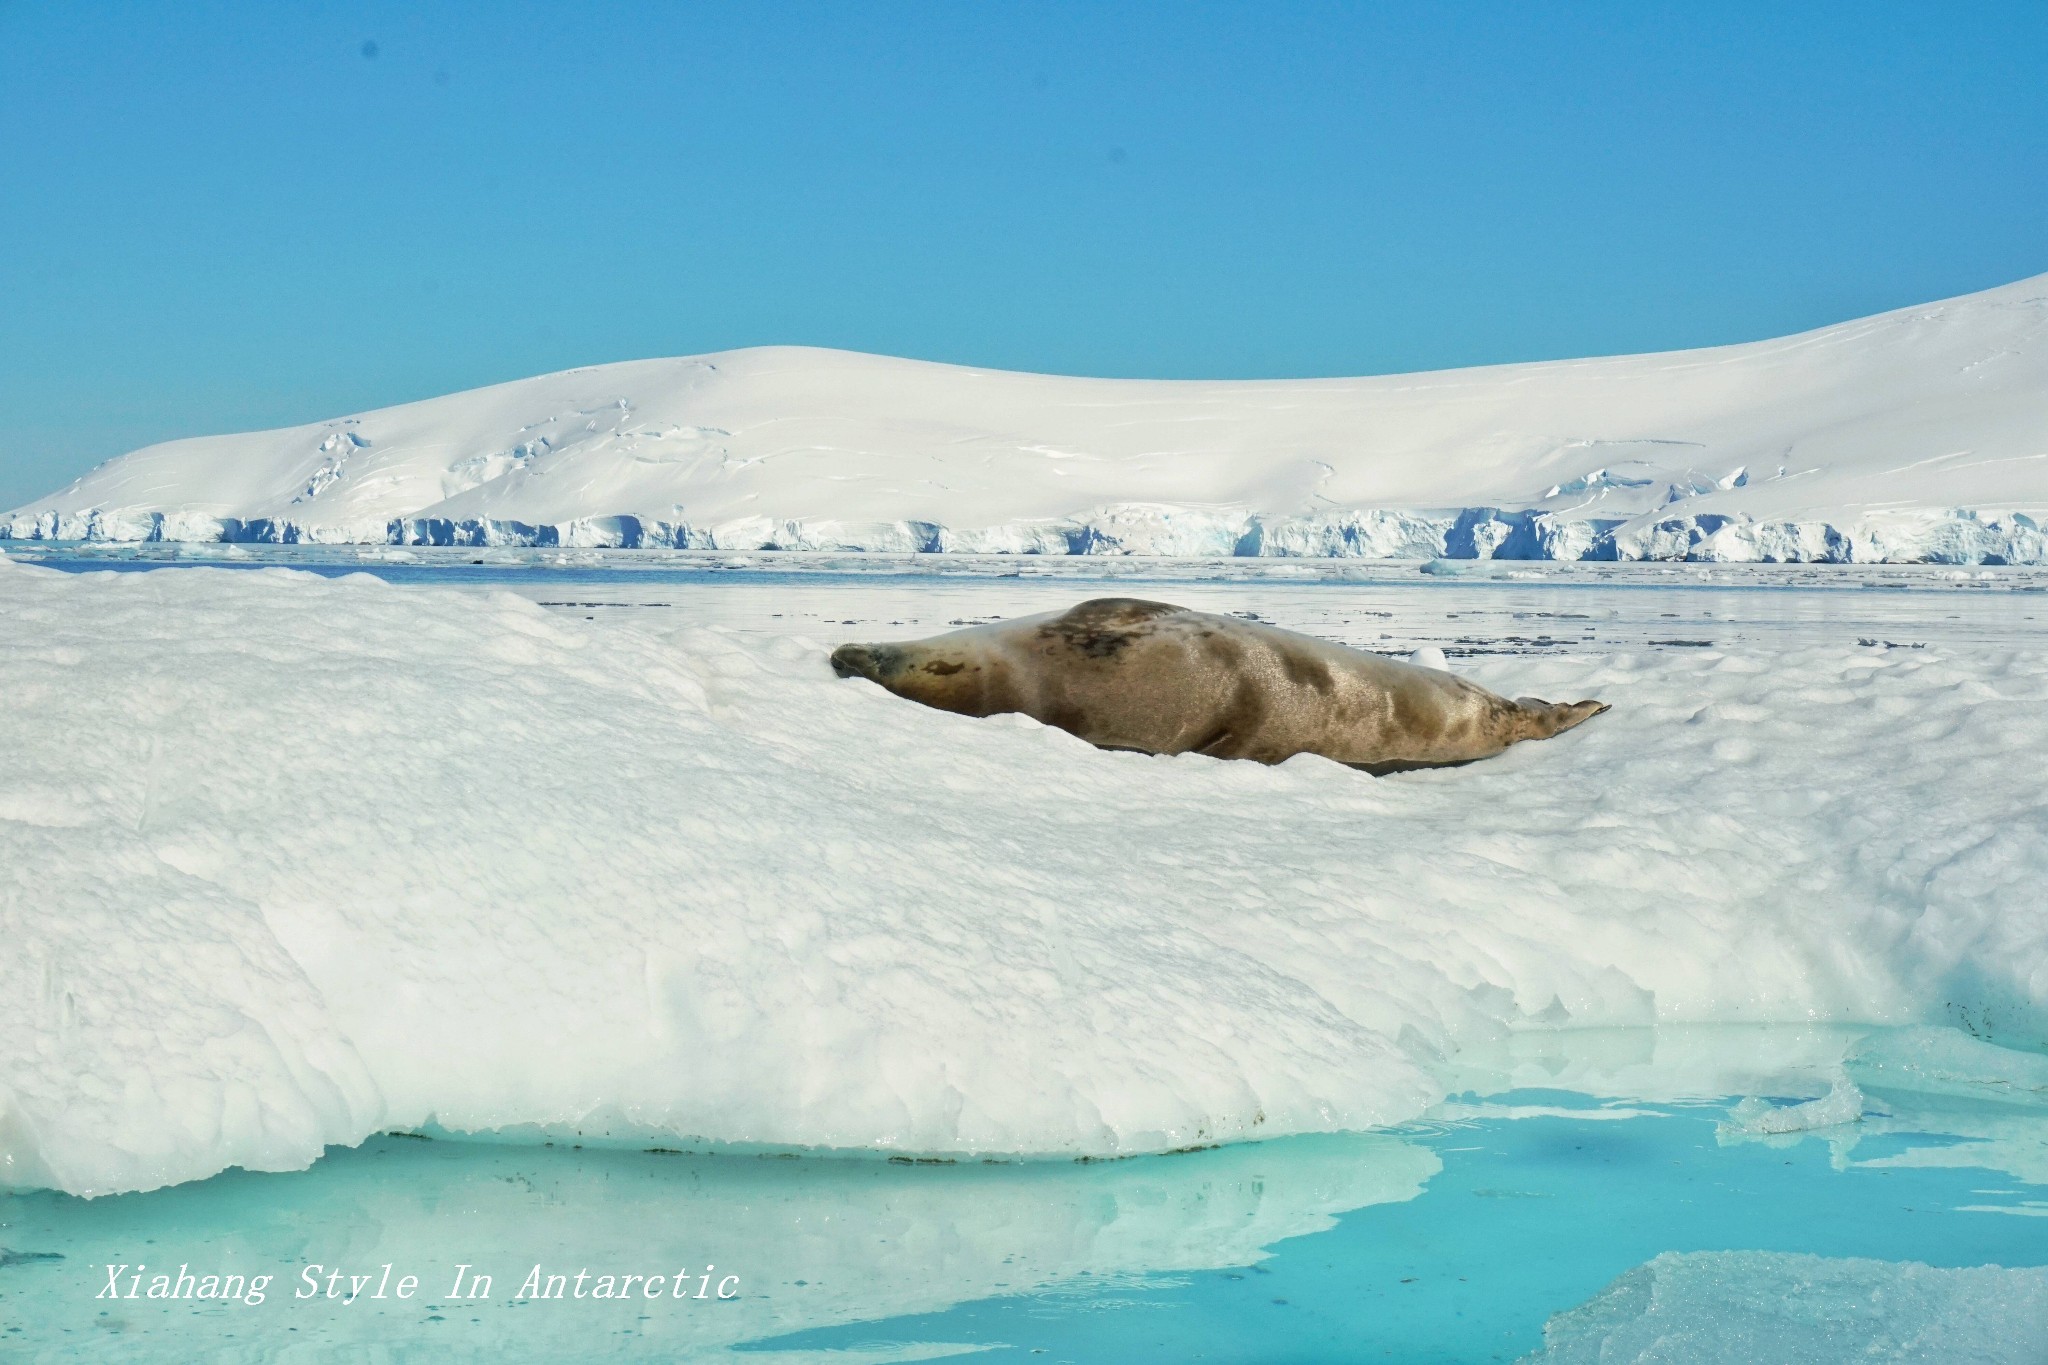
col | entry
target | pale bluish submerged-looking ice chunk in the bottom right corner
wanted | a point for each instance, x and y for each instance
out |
(1746, 1307)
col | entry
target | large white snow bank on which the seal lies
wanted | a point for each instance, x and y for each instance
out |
(288, 861)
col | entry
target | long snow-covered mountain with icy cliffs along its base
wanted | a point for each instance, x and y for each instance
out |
(1912, 435)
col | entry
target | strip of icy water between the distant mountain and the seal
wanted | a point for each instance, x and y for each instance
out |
(1463, 609)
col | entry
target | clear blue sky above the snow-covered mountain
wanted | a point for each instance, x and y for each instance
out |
(222, 218)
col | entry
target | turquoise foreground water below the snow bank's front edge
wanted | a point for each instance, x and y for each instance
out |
(1445, 1241)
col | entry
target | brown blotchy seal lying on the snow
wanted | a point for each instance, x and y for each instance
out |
(1127, 674)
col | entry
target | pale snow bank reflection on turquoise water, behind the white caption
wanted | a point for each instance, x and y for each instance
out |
(812, 1241)
